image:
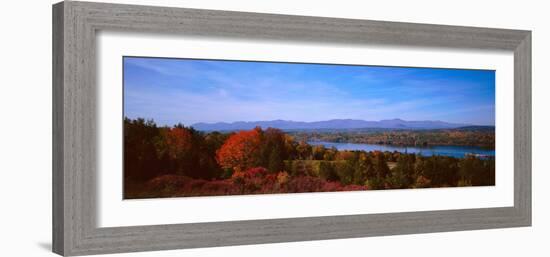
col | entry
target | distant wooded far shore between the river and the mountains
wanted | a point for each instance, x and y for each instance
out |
(460, 137)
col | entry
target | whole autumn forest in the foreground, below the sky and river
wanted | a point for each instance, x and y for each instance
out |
(179, 161)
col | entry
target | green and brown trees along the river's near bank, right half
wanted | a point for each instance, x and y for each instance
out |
(394, 170)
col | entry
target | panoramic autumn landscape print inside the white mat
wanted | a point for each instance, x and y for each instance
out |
(215, 127)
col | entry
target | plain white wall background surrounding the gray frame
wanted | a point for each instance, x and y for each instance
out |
(25, 129)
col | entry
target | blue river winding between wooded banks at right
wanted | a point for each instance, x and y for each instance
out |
(443, 150)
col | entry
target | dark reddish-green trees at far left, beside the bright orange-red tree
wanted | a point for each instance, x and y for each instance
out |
(150, 151)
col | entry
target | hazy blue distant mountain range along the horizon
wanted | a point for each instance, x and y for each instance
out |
(328, 124)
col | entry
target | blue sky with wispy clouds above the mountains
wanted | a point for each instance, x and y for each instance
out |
(171, 91)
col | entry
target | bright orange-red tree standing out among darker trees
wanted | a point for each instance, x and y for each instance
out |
(241, 150)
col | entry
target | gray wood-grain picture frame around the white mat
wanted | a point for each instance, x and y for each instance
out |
(75, 25)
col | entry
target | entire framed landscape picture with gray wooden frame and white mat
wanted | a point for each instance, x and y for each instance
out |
(183, 128)
